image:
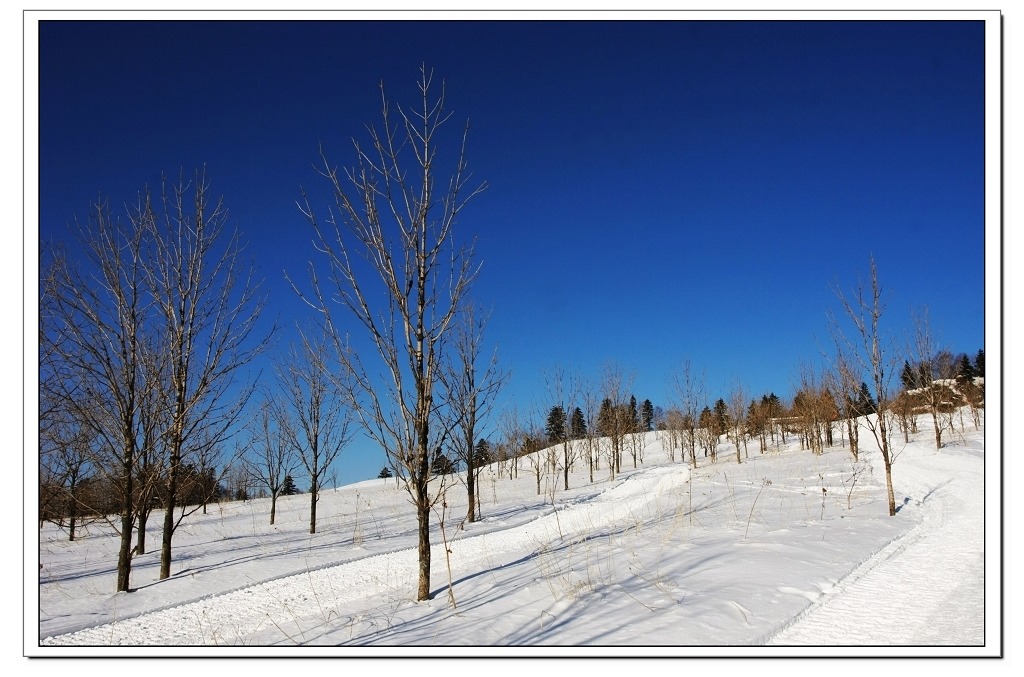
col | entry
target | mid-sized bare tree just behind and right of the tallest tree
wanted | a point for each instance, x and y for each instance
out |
(471, 393)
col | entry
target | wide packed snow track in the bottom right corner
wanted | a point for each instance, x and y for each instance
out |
(894, 594)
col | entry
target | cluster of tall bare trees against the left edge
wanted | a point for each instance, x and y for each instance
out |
(145, 332)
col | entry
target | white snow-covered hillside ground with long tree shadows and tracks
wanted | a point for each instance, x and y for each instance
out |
(786, 555)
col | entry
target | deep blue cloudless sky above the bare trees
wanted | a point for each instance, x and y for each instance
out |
(658, 191)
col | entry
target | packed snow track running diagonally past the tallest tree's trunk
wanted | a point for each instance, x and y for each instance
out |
(319, 595)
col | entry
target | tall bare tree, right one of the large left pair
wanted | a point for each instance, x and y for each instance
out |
(208, 303)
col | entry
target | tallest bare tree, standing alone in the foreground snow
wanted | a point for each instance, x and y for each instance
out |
(389, 216)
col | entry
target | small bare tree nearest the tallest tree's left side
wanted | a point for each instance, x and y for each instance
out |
(313, 414)
